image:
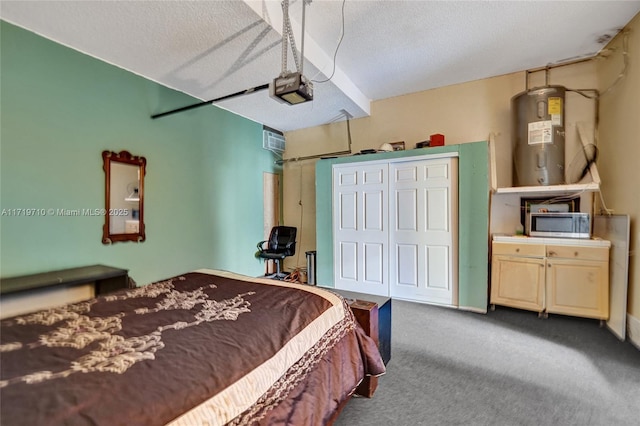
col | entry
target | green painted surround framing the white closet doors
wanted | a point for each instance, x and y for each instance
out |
(473, 217)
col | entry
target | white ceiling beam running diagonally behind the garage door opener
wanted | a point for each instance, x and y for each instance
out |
(271, 13)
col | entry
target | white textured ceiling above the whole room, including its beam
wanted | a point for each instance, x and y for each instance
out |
(209, 49)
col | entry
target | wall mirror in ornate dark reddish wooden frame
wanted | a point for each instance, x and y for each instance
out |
(124, 197)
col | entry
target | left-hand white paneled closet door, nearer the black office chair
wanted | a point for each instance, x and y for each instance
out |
(360, 228)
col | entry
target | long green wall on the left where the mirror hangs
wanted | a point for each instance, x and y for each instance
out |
(59, 109)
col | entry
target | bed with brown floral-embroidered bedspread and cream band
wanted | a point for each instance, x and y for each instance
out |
(206, 347)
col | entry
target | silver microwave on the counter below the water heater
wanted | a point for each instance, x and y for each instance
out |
(562, 225)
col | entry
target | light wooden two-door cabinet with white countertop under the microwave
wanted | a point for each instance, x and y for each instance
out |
(569, 277)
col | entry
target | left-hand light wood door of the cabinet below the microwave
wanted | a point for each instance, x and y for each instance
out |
(518, 282)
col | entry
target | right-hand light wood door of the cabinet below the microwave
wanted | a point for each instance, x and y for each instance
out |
(578, 287)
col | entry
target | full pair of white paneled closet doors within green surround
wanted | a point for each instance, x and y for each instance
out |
(395, 229)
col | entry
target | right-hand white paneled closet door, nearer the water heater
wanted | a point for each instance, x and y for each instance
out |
(423, 222)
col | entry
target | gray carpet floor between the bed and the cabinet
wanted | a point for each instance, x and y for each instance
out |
(508, 367)
